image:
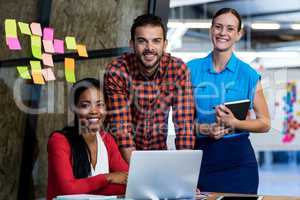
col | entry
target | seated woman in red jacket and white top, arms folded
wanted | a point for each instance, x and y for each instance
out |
(84, 158)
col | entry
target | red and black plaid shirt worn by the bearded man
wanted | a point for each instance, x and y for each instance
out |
(138, 107)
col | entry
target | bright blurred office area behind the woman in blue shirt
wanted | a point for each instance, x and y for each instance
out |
(271, 44)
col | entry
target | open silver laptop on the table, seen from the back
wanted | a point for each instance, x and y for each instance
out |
(163, 174)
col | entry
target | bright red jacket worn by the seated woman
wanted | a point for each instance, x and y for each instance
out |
(61, 180)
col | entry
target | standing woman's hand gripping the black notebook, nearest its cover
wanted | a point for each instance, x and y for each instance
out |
(225, 117)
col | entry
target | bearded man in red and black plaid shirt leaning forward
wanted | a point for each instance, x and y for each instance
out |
(141, 87)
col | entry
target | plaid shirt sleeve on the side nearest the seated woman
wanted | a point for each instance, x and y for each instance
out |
(118, 104)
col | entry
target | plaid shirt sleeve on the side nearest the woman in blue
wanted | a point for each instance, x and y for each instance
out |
(183, 109)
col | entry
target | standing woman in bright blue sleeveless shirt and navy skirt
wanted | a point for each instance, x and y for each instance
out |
(229, 163)
